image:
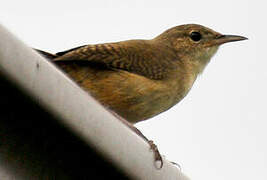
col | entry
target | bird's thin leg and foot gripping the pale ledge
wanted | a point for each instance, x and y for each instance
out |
(153, 146)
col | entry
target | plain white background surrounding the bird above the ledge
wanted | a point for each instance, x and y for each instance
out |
(219, 130)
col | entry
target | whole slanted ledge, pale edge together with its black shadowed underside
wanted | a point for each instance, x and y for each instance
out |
(51, 129)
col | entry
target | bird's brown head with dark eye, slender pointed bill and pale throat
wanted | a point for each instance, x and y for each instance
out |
(194, 43)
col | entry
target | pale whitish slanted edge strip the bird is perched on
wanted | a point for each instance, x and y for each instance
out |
(80, 112)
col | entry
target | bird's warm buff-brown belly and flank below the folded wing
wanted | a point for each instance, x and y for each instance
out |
(132, 96)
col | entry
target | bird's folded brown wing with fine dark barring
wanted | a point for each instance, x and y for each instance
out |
(115, 56)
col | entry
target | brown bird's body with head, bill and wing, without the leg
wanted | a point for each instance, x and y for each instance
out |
(138, 79)
